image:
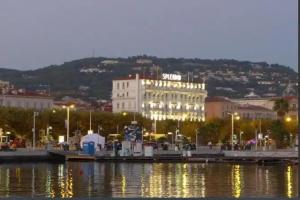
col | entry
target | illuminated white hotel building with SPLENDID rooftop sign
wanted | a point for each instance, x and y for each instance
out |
(167, 98)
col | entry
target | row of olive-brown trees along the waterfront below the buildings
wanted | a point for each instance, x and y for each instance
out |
(20, 122)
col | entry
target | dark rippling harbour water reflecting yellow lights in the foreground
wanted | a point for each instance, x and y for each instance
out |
(92, 179)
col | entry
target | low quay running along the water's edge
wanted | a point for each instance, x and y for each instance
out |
(199, 156)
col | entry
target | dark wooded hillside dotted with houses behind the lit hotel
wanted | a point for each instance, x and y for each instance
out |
(92, 77)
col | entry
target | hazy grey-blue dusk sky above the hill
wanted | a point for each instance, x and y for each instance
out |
(35, 33)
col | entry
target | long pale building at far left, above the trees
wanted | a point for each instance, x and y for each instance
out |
(26, 102)
